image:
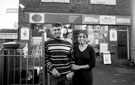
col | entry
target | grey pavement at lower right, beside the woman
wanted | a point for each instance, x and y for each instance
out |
(113, 74)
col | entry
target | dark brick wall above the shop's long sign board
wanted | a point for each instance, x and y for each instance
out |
(78, 6)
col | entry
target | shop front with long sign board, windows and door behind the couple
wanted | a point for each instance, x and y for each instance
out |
(108, 34)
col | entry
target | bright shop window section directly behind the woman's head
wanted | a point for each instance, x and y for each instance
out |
(96, 34)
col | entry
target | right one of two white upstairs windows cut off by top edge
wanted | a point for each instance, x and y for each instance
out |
(105, 2)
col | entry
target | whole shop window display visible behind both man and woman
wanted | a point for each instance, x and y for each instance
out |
(96, 34)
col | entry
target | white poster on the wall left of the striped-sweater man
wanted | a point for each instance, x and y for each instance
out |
(25, 33)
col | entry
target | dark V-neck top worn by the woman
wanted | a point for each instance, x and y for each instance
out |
(85, 57)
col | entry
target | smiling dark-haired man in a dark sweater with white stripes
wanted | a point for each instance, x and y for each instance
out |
(59, 58)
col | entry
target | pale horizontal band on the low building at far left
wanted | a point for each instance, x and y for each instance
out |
(8, 35)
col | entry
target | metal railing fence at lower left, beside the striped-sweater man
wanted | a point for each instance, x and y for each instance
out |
(19, 69)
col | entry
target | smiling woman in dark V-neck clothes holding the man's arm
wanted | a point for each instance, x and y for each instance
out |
(84, 61)
